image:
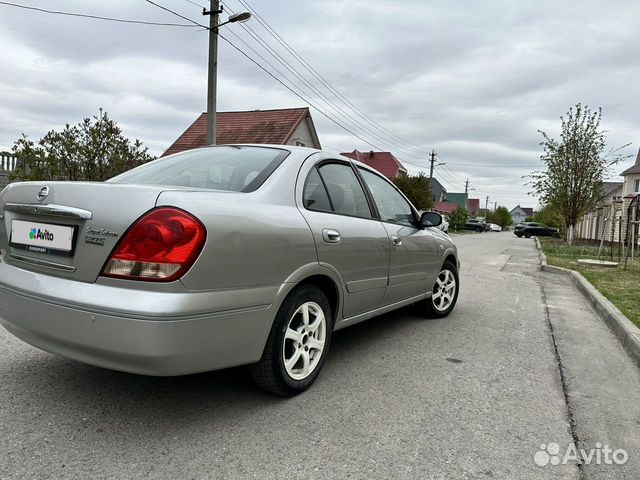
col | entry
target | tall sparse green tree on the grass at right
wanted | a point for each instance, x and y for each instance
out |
(576, 168)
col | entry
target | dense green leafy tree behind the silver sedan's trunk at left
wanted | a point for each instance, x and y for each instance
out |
(95, 149)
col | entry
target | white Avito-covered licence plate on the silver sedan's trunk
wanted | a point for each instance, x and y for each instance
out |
(47, 238)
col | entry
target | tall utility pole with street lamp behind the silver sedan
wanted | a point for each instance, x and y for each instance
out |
(214, 14)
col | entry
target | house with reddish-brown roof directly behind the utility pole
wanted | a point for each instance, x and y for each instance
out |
(287, 126)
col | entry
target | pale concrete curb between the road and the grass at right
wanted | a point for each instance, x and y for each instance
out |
(623, 328)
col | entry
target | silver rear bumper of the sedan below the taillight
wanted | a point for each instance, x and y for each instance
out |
(133, 343)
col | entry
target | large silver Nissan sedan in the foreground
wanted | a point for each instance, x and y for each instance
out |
(215, 257)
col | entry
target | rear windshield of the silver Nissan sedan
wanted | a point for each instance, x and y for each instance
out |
(235, 169)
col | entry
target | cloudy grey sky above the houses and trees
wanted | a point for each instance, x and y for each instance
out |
(475, 80)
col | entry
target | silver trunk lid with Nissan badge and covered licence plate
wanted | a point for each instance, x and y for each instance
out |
(71, 231)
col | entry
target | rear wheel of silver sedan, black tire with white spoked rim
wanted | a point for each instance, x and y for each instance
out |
(296, 348)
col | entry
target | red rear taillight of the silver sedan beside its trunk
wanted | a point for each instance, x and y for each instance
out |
(161, 246)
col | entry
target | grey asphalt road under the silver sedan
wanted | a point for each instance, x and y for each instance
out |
(471, 396)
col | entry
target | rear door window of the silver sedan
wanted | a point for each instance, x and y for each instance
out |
(345, 192)
